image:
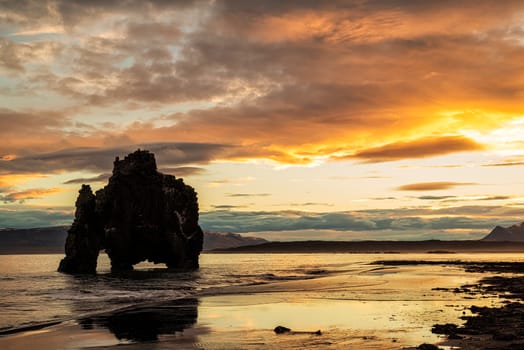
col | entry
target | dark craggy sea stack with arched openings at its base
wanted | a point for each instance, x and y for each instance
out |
(141, 214)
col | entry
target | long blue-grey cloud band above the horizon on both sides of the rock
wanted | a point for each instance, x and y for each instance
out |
(464, 222)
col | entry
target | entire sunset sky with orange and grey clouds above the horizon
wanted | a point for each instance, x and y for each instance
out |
(341, 120)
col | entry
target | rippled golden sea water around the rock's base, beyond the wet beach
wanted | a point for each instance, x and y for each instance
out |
(32, 292)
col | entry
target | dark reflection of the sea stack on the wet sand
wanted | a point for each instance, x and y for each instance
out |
(148, 322)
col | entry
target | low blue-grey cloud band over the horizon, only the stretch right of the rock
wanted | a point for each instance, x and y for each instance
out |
(480, 219)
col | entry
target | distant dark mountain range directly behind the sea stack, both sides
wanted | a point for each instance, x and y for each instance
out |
(46, 240)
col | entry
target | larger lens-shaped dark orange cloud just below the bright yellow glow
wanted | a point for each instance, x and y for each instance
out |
(421, 148)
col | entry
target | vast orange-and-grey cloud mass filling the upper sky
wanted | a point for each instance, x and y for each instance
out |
(281, 96)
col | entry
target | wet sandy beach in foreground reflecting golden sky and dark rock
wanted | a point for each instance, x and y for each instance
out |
(386, 306)
